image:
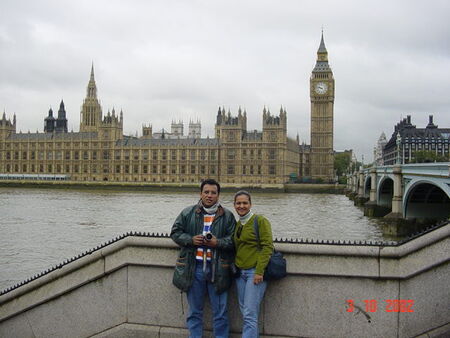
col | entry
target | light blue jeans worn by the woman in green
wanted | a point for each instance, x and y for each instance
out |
(250, 297)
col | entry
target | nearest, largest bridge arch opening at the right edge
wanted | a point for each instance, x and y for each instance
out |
(426, 199)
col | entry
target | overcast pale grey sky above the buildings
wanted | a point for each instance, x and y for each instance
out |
(165, 60)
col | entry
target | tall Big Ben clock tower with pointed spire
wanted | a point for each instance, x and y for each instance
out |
(322, 102)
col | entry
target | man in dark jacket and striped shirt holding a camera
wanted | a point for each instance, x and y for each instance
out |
(204, 233)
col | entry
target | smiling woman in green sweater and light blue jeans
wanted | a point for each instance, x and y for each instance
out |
(251, 258)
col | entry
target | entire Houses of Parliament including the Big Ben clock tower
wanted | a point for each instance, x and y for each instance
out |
(100, 151)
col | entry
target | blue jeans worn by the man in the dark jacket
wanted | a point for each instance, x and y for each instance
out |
(196, 299)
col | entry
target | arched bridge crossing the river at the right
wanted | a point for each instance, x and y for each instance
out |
(406, 191)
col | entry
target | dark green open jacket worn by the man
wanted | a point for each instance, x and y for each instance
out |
(190, 223)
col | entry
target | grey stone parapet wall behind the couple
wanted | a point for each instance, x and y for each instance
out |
(124, 289)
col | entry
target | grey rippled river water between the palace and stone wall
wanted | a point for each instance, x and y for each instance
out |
(42, 227)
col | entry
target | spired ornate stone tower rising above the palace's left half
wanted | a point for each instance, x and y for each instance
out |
(91, 111)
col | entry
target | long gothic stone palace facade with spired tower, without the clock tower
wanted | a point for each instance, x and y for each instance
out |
(100, 151)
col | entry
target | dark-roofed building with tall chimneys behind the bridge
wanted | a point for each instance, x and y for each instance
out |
(407, 139)
